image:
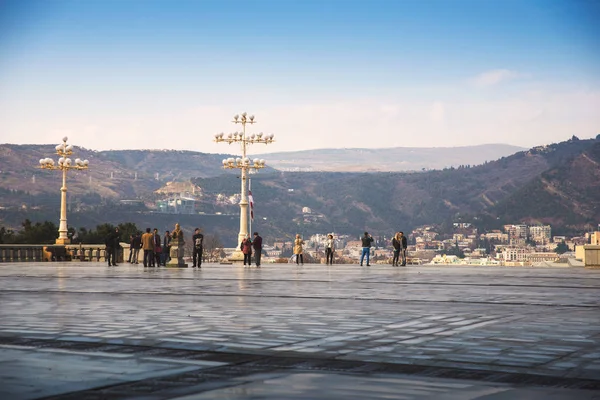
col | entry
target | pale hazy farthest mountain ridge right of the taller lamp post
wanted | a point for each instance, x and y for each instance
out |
(396, 159)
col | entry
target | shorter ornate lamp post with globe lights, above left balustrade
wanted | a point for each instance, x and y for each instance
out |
(64, 164)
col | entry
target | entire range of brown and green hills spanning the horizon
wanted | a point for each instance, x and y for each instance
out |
(557, 184)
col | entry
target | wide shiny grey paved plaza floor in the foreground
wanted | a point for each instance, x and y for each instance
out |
(88, 331)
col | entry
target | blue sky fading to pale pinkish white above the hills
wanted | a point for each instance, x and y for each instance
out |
(133, 74)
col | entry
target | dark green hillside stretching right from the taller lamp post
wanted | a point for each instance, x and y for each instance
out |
(487, 195)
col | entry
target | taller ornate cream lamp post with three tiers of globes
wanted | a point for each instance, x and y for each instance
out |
(244, 164)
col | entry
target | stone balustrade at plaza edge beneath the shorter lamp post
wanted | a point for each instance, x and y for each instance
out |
(40, 252)
